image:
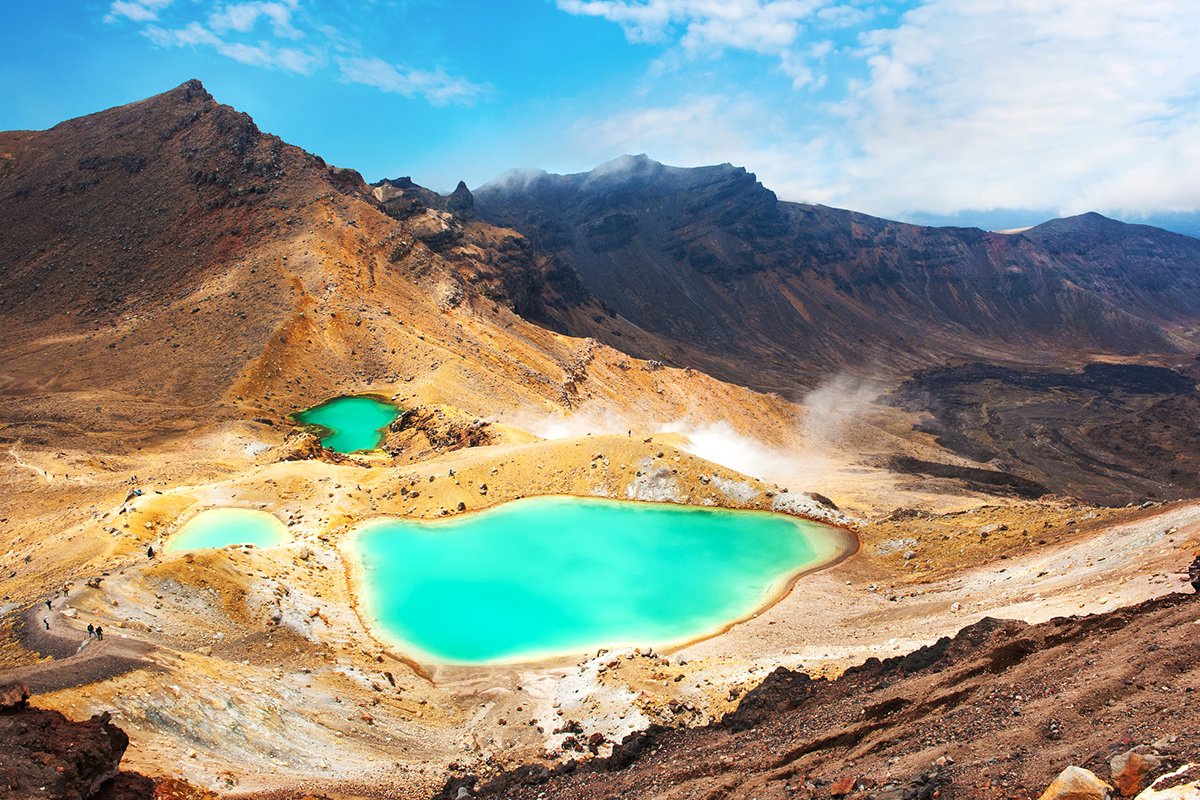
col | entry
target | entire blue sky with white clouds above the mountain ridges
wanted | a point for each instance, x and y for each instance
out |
(934, 107)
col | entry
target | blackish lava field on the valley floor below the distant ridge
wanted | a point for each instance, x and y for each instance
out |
(1111, 435)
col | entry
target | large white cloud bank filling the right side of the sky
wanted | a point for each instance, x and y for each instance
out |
(1076, 106)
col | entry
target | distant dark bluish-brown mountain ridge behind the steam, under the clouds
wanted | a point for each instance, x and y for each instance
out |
(770, 293)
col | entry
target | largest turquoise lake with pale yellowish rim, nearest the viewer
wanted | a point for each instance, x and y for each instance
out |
(559, 576)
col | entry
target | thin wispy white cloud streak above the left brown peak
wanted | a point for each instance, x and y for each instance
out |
(284, 35)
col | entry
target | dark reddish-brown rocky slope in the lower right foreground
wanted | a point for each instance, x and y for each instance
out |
(1082, 708)
